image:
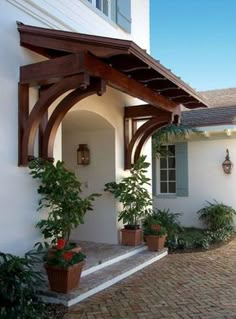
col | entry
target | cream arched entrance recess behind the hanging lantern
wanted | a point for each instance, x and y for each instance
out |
(87, 127)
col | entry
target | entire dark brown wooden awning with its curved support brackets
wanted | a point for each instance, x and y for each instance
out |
(85, 64)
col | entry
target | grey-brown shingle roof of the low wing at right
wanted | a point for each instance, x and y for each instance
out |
(222, 109)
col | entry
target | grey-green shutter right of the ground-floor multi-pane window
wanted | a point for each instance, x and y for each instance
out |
(181, 154)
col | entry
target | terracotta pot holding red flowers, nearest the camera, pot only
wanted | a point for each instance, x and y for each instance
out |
(64, 280)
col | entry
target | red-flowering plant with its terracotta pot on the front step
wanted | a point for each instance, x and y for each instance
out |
(64, 267)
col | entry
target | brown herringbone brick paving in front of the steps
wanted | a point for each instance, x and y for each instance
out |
(181, 286)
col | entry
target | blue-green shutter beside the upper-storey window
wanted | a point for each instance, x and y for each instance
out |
(123, 14)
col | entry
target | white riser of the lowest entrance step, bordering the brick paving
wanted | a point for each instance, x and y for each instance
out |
(106, 284)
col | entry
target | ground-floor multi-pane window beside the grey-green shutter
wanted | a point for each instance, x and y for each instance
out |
(168, 170)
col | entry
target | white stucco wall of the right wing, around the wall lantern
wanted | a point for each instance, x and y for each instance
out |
(207, 181)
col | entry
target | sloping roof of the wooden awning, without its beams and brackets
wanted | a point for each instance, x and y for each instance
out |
(121, 55)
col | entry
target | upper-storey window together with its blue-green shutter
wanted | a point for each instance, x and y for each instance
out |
(118, 11)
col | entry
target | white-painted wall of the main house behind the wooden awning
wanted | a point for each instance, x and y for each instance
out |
(18, 191)
